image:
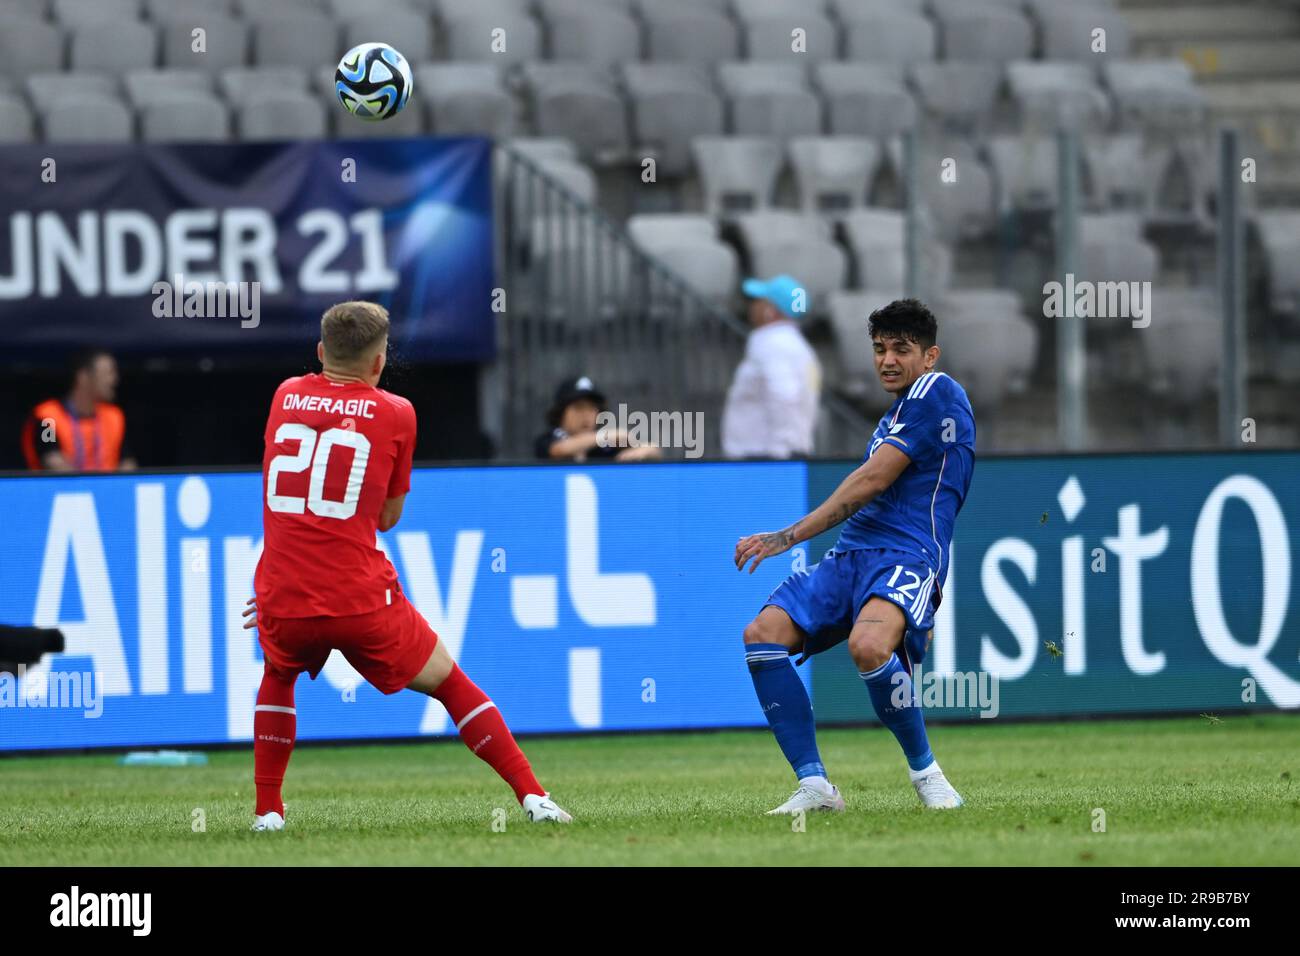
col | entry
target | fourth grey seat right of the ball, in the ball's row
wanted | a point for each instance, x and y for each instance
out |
(770, 101)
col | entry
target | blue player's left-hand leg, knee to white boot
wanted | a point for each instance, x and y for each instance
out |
(769, 641)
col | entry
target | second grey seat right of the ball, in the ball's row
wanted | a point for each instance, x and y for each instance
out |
(579, 103)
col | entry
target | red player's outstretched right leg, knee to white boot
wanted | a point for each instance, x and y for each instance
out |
(484, 732)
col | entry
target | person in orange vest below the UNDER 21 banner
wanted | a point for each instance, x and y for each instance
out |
(84, 431)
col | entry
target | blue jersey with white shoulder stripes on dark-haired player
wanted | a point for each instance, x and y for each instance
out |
(934, 426)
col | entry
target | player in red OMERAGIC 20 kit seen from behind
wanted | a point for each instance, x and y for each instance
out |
(337, 470)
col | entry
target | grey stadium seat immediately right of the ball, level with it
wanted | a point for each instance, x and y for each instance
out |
(467, 100)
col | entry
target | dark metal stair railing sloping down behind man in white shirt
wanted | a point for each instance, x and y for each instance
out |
(583, 299)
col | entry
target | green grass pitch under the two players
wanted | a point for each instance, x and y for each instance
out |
(1188, 791)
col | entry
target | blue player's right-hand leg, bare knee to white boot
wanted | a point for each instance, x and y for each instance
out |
(873, 644)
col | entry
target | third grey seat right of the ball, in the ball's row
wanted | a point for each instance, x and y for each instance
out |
(671, 105)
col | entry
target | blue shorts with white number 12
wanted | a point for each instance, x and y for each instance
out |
(826, 600)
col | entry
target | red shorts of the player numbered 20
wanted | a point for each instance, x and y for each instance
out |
(388, 646)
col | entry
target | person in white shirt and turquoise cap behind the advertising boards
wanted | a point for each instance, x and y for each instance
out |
(773, 403)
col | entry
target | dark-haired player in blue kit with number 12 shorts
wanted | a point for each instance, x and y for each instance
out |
(881, 585)
